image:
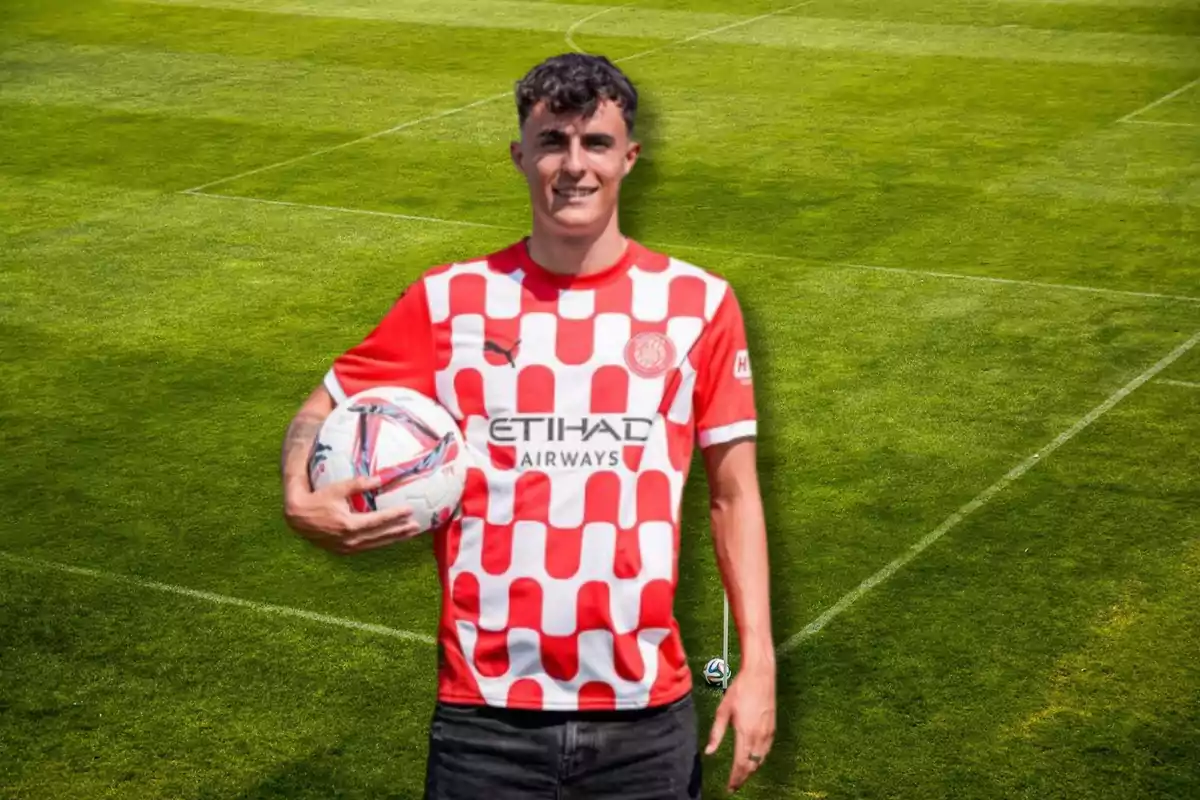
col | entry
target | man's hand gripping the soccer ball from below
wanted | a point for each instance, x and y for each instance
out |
(326, 519)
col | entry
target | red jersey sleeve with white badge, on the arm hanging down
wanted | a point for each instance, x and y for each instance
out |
(724, 398)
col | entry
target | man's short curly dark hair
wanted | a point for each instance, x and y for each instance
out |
(577, 83)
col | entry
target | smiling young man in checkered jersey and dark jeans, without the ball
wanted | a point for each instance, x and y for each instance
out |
(583, 369)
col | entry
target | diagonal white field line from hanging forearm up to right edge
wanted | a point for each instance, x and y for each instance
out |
(985, 497)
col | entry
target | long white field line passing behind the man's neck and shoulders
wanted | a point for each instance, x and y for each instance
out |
(772, 257)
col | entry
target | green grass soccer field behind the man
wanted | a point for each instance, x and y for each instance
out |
(967, 238)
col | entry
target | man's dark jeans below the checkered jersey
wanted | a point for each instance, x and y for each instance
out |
(485, 754)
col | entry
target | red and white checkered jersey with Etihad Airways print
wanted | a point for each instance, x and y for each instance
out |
(581, 400)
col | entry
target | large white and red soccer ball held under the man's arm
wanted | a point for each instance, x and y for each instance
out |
(404, 437)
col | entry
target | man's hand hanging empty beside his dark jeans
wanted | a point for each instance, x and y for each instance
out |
(749, 706)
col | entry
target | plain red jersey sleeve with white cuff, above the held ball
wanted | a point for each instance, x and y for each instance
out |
(398, 353)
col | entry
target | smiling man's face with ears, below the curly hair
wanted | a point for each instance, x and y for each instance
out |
(574, 166)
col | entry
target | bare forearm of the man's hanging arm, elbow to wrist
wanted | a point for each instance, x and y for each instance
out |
(740, 539)
